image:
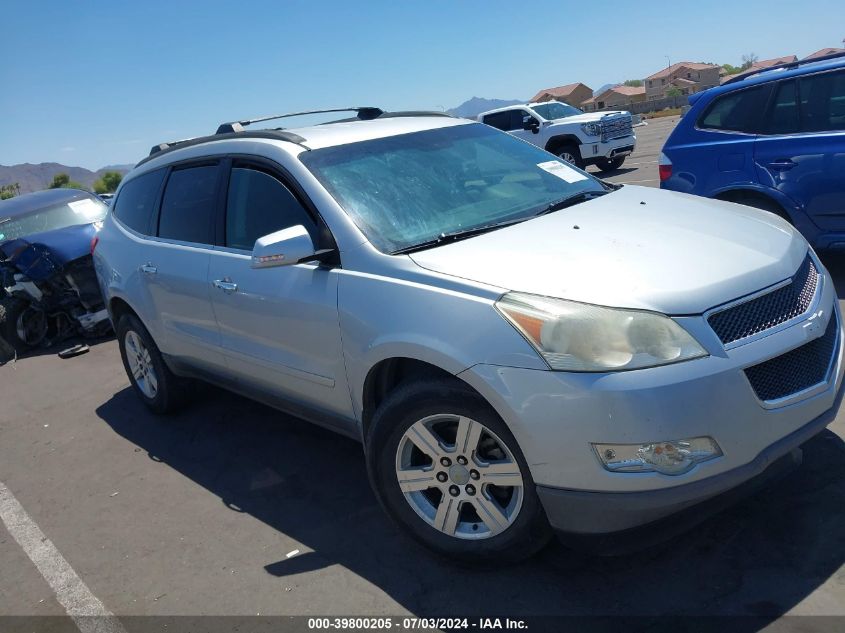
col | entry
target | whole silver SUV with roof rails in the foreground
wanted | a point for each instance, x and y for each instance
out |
(519, 345)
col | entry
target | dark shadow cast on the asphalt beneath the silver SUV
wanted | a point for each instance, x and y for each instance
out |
(759, 558)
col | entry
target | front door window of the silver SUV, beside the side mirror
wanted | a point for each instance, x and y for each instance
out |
(259, 204)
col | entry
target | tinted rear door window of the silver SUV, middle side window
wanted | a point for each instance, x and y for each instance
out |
(188, 206)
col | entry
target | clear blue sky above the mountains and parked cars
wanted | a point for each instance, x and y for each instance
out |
(96, 83)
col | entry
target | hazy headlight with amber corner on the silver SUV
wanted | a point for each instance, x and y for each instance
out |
(582, 337)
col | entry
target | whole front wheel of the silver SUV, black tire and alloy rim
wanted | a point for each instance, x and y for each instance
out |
(447, 469)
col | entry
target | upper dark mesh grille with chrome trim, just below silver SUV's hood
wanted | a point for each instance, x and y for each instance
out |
(769, 310)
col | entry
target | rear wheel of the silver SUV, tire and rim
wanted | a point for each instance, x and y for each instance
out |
(157, 387)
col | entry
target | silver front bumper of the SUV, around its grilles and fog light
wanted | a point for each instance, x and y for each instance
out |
(557, 416)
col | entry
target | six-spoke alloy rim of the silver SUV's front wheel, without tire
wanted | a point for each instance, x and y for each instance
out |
(459, 476)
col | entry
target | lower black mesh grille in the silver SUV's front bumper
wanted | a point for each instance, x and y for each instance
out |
(797, 370)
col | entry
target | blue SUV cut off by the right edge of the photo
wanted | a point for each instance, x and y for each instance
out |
(772, 139)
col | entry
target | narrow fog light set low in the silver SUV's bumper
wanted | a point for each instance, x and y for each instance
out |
(672, 457)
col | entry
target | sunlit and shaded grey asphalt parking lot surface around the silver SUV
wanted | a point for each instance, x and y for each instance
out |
(233, 508)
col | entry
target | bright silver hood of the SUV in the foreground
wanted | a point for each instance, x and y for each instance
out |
(636, 247)
